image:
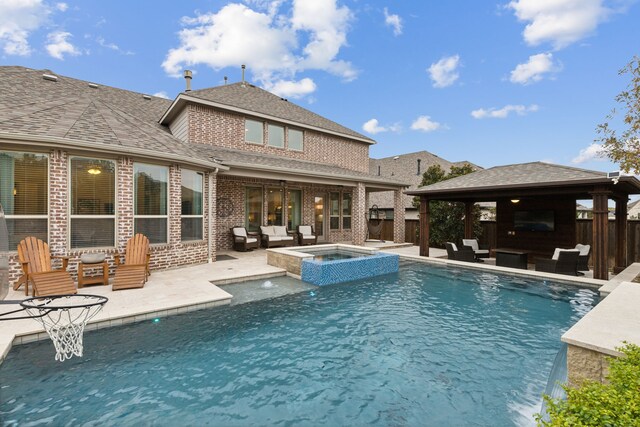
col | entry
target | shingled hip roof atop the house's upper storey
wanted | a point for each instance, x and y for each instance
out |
(252, 99)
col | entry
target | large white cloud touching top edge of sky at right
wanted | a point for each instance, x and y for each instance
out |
(559, 22)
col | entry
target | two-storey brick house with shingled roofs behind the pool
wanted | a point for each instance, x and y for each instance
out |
(85, 166)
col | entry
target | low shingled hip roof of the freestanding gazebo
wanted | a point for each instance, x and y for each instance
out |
(526, 179)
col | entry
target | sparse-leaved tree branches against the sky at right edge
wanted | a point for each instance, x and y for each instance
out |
(624, 148)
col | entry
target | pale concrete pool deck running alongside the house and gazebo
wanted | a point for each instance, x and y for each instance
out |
(198, 287)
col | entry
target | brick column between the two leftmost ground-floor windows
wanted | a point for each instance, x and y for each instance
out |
(58, 197)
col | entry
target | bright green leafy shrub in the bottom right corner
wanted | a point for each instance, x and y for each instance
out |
(616, 403)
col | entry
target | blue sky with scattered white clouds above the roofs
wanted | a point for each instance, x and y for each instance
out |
(490, 82)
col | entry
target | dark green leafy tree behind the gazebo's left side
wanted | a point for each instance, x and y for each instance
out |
(447, 218)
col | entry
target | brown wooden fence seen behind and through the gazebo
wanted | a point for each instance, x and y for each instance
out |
(584, 230)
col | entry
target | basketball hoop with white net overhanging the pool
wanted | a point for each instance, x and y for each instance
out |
(64, 318)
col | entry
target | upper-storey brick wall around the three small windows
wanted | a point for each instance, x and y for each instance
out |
(210, 126)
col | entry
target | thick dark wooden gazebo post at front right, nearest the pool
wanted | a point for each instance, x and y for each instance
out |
(600, 233)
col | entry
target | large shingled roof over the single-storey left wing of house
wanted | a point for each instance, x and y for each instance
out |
(77, 112)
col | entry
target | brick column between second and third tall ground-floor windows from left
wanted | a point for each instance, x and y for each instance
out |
(125, 202)
